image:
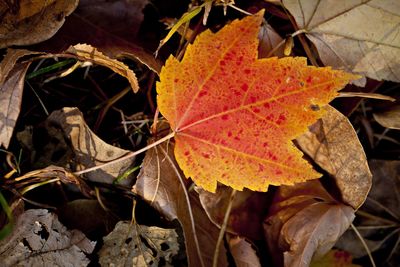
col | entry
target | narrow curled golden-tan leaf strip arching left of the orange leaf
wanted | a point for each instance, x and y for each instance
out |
(86, 52)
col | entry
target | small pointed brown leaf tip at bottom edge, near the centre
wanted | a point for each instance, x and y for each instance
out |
(242, 252)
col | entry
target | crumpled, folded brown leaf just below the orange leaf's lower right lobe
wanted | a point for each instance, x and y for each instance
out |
(304, 222)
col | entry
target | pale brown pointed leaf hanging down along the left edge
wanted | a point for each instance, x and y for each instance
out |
(10, 101)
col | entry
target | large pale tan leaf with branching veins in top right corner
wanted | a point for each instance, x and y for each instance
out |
(357, 36)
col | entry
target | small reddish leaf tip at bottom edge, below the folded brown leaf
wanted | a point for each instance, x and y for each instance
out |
(335, 258)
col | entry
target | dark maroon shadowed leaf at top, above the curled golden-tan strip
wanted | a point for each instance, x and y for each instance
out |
(110, 26)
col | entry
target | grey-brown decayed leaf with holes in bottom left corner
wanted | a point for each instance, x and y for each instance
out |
(39, 237)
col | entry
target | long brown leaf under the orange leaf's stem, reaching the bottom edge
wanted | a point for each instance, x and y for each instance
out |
(159, 179)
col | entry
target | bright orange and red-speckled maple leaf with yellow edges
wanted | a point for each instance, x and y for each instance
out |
(234, 115)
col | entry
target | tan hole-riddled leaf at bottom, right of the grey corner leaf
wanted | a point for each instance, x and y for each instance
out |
(138, 245)
